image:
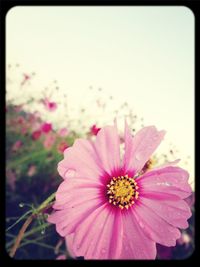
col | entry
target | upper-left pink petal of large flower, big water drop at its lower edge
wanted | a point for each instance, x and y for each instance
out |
(82, 159)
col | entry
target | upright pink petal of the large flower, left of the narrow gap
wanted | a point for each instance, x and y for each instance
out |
(107, 146)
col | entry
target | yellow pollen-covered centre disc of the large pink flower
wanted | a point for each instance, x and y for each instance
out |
(122, 191)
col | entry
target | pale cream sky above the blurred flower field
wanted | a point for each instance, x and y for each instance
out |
(141, 55)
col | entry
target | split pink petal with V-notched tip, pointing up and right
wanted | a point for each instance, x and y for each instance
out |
(139, 149)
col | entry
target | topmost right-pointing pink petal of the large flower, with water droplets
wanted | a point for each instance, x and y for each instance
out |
(171, 180)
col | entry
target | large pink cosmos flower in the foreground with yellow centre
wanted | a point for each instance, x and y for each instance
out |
(107, 208)
